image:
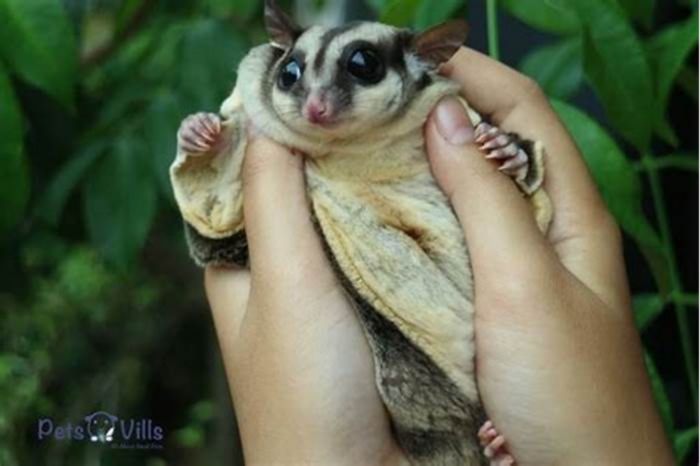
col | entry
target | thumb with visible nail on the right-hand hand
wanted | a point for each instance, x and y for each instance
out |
(497, 220)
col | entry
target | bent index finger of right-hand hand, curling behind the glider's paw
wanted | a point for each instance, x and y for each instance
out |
(583, 233)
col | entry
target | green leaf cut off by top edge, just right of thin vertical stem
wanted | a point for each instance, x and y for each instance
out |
(555, 16)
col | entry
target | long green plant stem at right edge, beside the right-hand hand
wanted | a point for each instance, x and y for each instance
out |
(676, 285)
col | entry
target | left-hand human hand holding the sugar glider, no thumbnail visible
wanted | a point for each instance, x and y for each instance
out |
(300, 370)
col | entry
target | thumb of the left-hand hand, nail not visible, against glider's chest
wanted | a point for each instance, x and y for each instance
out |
(284, 247)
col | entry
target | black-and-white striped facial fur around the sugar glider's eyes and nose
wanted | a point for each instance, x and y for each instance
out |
(356, 107)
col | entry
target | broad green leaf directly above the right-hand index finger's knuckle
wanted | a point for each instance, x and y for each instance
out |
(557, 68)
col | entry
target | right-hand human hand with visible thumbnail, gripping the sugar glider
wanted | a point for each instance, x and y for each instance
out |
(559, 362)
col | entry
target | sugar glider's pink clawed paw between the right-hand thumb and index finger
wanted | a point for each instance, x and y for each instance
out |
(504, 148)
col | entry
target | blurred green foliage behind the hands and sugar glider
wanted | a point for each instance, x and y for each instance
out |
(99, 299)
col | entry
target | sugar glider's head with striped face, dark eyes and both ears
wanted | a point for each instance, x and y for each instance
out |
(340, 82)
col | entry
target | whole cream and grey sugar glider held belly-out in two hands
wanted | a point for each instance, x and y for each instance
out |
(354, 99)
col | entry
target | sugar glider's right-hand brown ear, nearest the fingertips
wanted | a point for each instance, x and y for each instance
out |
(437, 45)
